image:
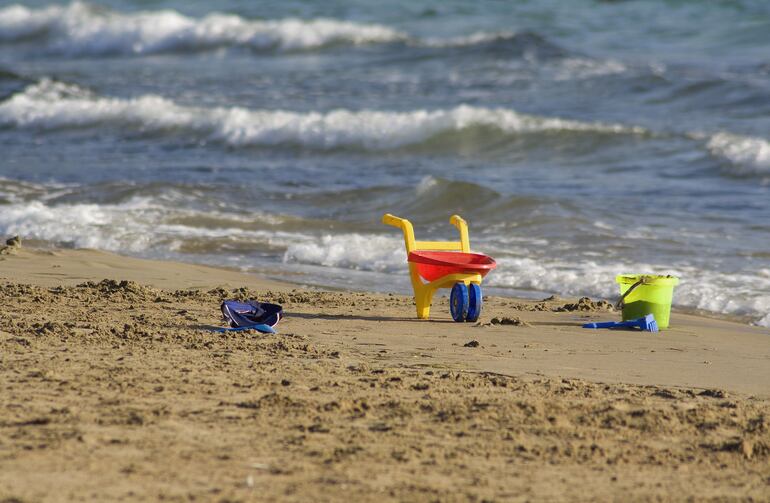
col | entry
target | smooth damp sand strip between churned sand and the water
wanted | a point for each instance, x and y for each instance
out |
(694, 332)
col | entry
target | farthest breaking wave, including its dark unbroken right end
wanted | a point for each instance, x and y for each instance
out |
(80, 29)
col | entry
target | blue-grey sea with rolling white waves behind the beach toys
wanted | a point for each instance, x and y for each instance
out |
(579, 139)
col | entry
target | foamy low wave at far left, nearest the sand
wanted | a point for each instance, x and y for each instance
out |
(144, 225)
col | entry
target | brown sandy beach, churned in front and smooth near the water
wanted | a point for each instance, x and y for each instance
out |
(113, 389)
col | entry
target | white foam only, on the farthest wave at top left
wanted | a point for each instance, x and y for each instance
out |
(80, 29)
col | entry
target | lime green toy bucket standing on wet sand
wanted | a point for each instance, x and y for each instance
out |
(644, 294)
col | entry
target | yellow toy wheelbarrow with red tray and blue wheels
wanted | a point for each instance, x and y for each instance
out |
(445, 264)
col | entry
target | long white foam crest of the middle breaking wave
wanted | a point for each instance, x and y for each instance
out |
(49, 105)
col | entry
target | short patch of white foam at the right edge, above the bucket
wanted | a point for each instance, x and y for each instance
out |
(748, 155)
